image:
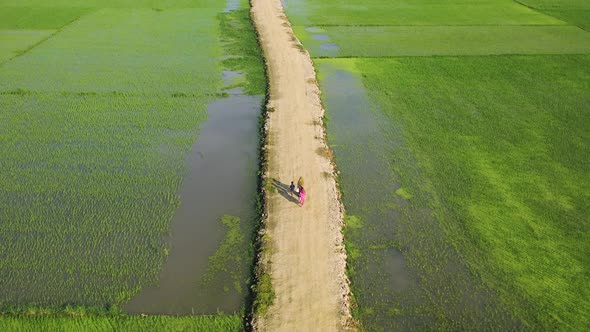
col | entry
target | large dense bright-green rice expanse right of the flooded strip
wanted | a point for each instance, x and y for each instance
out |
(500, 157)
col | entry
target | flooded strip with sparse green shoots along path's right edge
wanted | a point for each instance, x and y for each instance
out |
(406, 276)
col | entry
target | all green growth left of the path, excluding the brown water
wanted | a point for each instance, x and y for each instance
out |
(101, 103)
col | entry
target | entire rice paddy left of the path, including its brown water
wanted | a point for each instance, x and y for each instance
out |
(119, 191)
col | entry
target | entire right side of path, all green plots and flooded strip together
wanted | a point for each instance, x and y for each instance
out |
(462, 144)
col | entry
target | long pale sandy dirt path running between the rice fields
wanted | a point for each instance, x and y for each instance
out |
(307, 257)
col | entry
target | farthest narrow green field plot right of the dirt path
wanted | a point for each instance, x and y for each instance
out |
(375, 12)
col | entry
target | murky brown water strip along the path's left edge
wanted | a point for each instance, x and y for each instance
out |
(221, 181)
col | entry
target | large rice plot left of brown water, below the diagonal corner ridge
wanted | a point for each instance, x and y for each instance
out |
(95, 126)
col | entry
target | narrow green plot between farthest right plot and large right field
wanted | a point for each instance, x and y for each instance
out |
(443, 40)
